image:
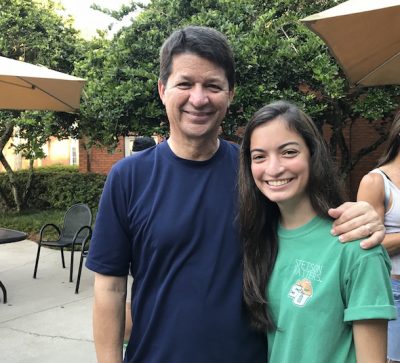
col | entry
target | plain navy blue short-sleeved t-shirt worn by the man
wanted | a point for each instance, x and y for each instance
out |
(172, 221)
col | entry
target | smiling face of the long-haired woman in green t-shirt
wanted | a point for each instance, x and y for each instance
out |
(280, 163)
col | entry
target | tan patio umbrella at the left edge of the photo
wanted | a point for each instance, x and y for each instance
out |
(24, 86)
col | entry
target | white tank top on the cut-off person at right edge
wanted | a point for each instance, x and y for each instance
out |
(392, 215)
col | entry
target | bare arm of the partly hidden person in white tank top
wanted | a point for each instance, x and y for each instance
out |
(374, 182)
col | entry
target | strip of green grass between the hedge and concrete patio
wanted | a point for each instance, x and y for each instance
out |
(31, 221)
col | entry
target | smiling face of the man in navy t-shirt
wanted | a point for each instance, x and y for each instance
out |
(196, 97)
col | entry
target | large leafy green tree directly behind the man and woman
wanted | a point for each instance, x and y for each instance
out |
(276, 57)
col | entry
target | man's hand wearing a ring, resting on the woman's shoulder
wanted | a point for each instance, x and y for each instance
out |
(356, 220)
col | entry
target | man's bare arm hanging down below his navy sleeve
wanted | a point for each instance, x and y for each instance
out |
(109, 317)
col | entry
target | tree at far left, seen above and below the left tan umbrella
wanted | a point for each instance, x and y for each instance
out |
(34, 33)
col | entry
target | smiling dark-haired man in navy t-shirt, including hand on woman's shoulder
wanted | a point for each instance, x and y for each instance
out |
(167, 215)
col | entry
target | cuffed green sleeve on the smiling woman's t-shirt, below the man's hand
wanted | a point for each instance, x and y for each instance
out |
(368, 292)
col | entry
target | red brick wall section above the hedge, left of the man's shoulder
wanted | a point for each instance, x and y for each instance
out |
(99, 160)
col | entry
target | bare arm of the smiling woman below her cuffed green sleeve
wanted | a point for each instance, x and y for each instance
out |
(370, 339)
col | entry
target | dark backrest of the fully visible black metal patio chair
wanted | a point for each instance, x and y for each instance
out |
(76, 217)
